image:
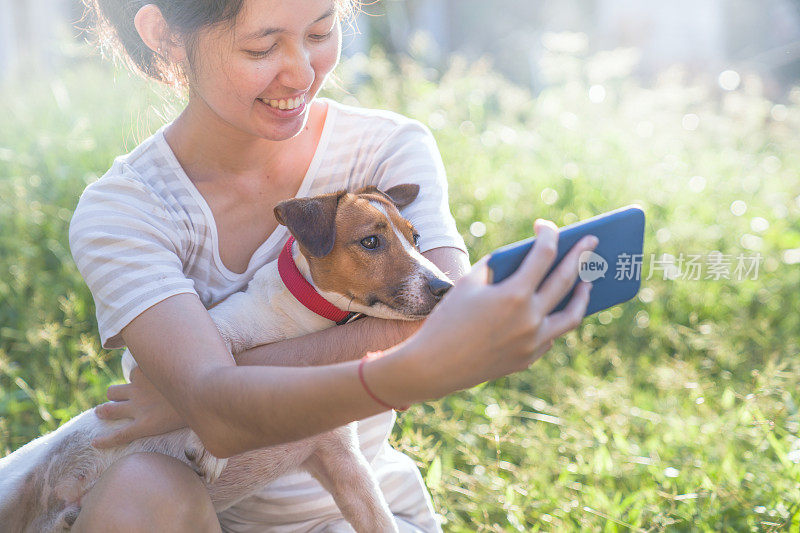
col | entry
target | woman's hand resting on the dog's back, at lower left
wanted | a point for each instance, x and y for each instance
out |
(147, 411)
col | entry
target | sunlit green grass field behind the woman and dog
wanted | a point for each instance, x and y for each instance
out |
(677, 411)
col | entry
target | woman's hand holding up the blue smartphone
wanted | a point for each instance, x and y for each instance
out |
(482, 331)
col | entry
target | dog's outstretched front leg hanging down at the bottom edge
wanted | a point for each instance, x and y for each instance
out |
(338, 464)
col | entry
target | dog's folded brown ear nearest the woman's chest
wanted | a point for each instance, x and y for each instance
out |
(311, 221)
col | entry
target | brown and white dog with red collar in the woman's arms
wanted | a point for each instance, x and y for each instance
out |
(361, 255)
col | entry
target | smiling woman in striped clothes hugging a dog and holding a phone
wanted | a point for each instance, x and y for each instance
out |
(185, 219)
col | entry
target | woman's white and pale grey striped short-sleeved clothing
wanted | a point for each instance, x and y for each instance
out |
(143, 233)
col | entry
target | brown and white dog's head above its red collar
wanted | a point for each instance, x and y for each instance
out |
(362, 254)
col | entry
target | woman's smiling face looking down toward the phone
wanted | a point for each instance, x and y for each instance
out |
(277, 54)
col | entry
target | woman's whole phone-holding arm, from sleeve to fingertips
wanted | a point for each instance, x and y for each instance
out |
(479, 332)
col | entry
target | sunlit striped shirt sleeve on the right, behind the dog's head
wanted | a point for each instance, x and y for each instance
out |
(410, 155)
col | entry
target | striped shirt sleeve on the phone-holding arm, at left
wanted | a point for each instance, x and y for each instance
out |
(128, 250)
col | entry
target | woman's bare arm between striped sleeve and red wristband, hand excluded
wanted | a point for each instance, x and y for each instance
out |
(234, 409)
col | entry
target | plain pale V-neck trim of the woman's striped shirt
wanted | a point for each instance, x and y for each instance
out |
(280, 233)
